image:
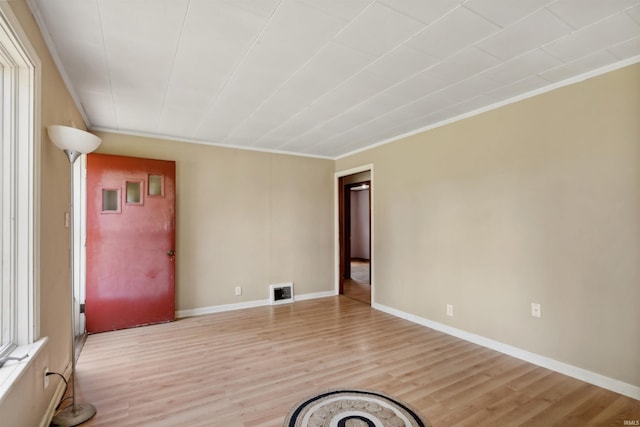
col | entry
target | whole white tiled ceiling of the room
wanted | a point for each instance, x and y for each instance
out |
(321, 77)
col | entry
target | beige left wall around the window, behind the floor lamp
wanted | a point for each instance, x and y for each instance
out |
(27, 401)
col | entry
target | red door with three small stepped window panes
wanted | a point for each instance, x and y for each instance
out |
(130, 242)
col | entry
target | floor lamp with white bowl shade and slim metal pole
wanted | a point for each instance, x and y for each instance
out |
(74, 142)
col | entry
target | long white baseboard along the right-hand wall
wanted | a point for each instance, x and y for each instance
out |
(599, 380)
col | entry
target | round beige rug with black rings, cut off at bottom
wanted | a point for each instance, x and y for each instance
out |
(352, 408)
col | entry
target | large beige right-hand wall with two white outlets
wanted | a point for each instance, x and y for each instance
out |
(538, 201)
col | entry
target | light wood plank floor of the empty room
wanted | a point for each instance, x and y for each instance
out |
(249, 367)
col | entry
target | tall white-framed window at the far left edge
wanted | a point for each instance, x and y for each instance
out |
(17, 181)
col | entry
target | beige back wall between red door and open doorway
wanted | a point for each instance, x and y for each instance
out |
(244, 218)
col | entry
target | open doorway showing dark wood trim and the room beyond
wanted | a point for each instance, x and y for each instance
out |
(355, 234)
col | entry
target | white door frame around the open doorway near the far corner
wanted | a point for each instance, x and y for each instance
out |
(339, 248)
